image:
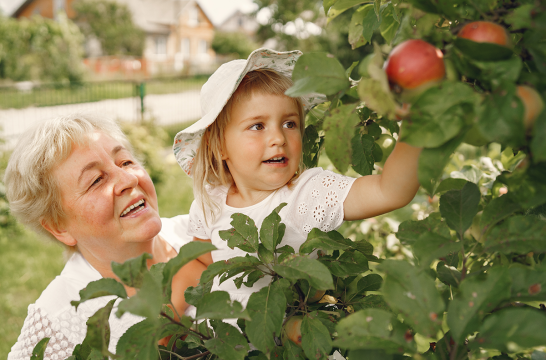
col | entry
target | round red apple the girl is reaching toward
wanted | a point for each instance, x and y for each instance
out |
(414, 66)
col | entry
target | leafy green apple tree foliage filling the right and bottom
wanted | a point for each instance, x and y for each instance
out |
(471, 286)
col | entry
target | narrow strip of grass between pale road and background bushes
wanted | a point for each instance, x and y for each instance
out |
(60, 94)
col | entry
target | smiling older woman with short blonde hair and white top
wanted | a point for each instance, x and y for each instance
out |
(76, 180)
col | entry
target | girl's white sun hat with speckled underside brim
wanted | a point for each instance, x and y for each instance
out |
(218, 90)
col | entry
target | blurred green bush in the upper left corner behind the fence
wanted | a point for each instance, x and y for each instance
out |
(40, 49)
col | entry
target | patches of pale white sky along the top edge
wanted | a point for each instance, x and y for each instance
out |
(217, 10)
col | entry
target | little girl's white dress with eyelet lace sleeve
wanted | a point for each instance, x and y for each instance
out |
(314, 201)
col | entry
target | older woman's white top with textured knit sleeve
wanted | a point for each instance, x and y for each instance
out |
(52, 315)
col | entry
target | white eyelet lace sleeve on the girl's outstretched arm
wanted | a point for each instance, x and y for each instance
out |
(318, 203)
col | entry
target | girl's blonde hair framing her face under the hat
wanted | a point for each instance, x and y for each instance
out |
(209, 168)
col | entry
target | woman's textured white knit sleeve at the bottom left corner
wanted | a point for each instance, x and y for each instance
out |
(64, 332)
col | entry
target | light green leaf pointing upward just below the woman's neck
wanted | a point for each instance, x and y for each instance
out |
(147, 302)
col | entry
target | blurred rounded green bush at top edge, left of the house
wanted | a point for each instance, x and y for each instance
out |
(111, 23)
